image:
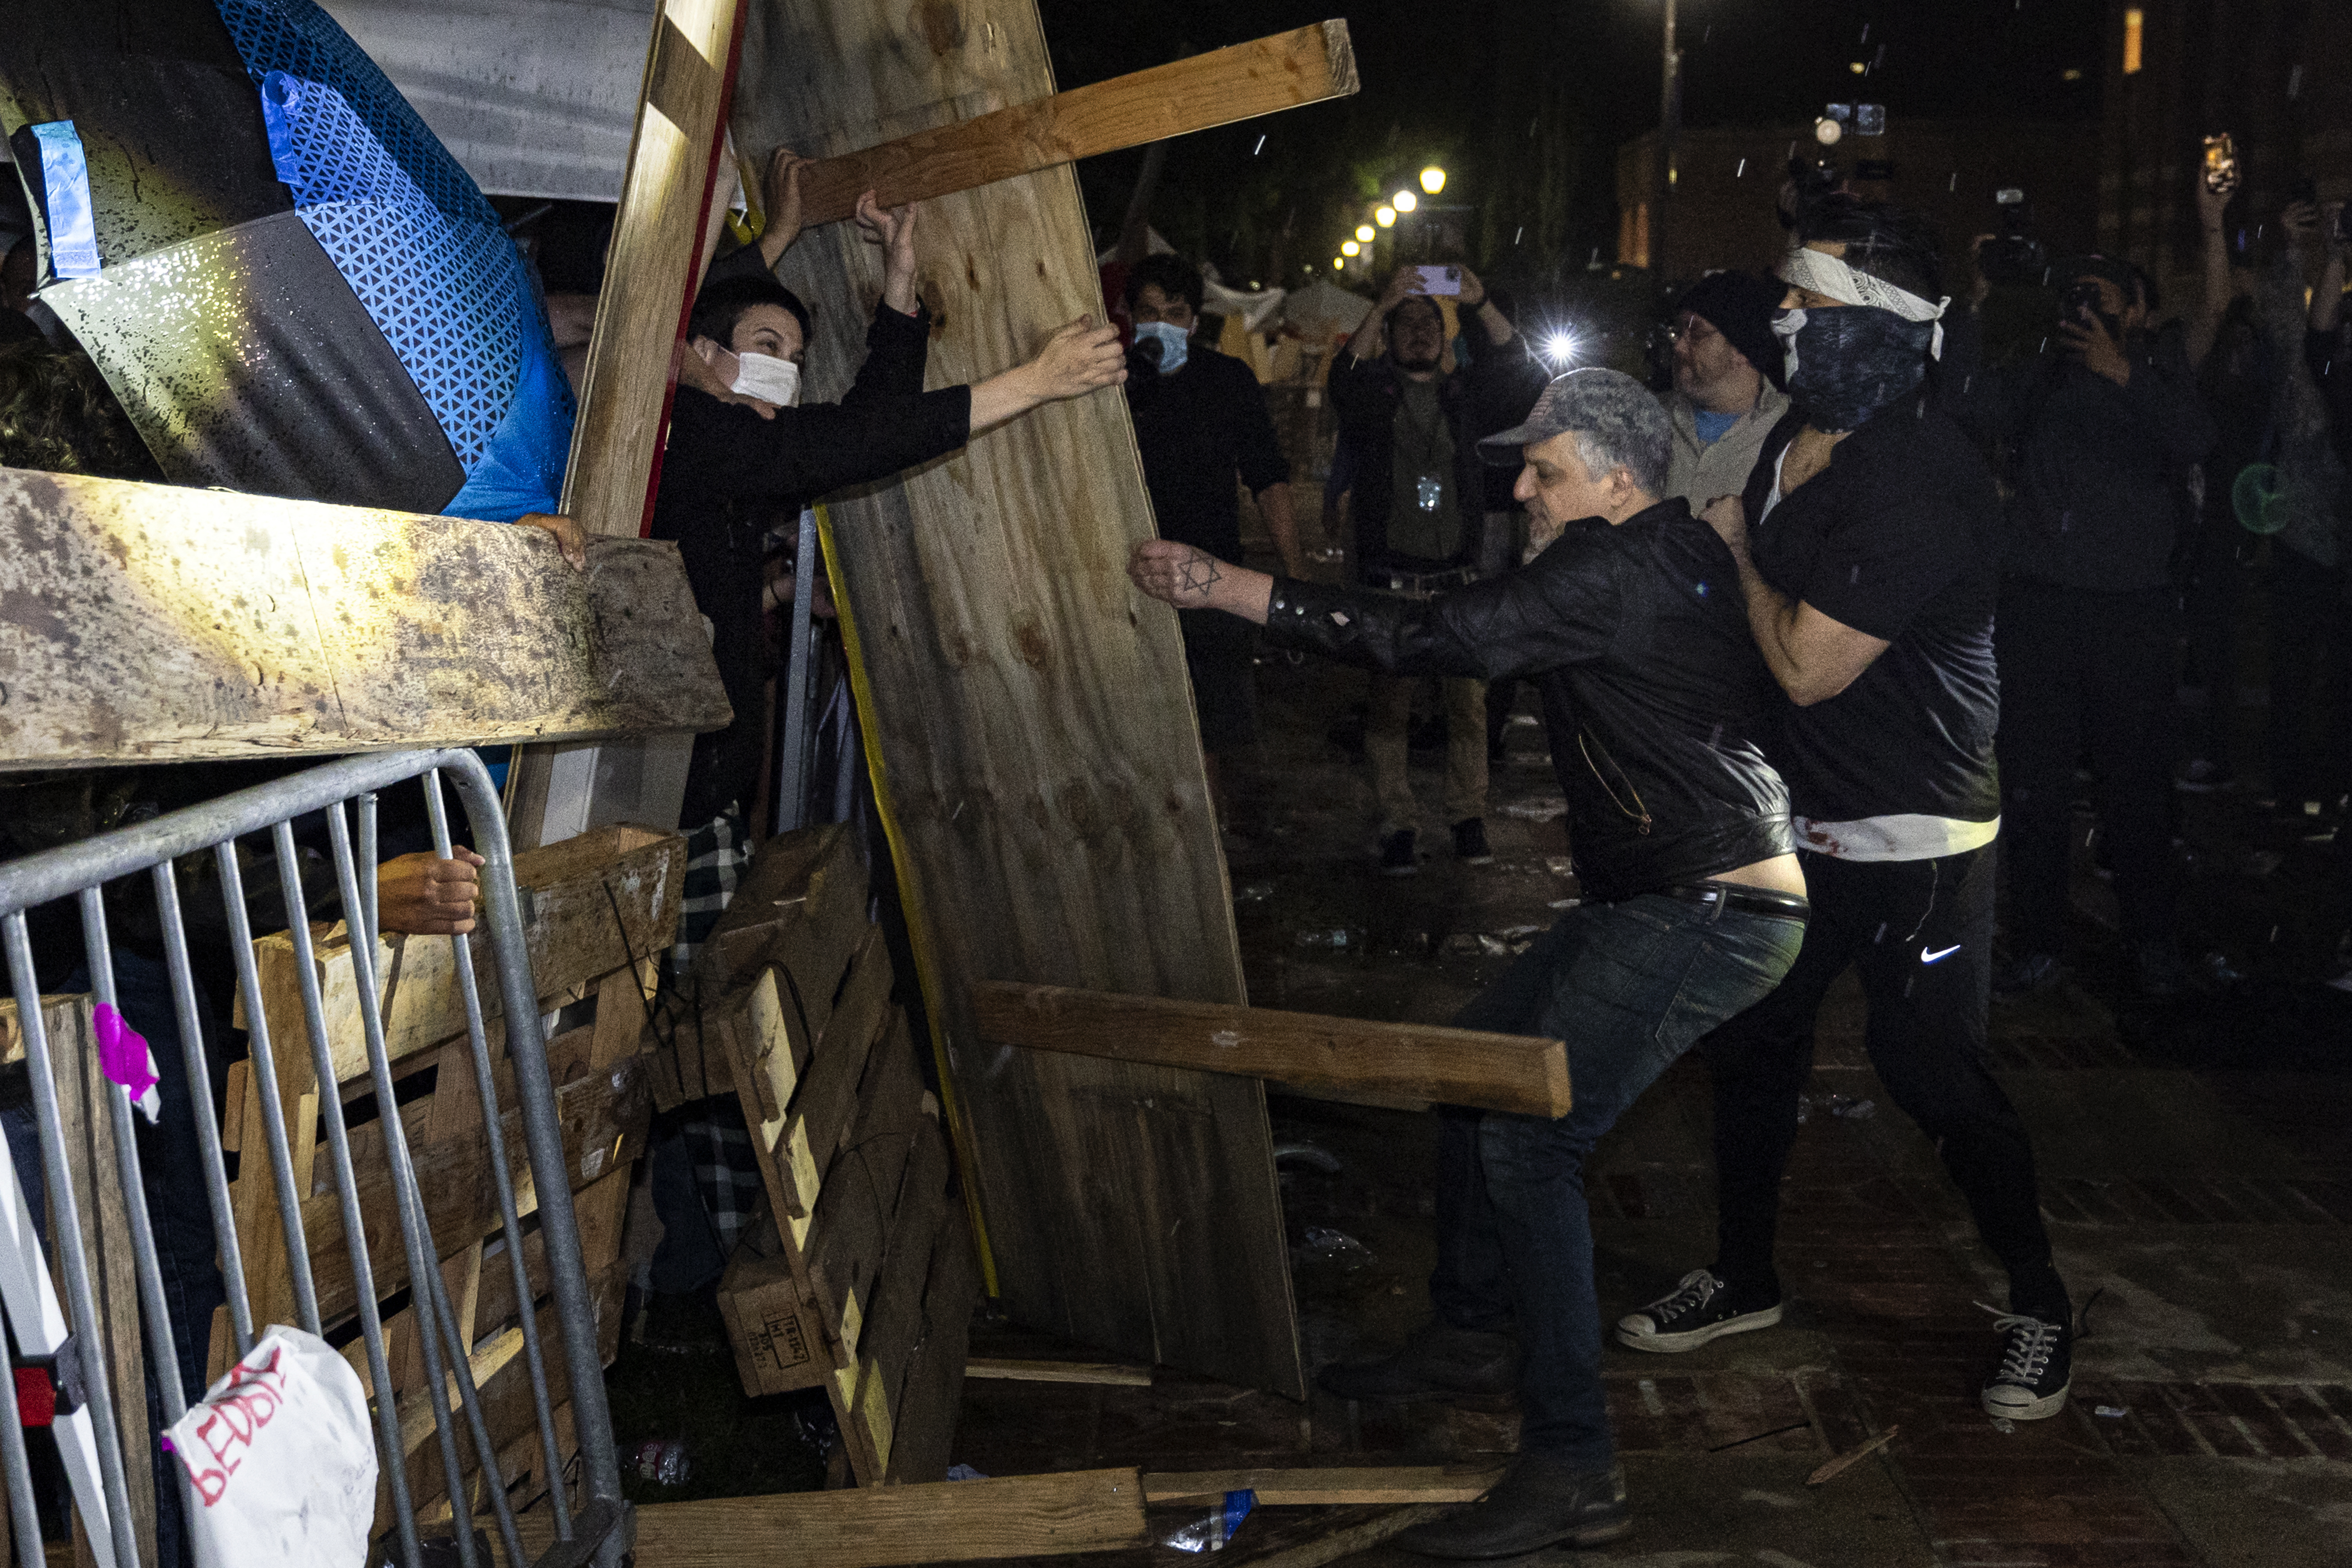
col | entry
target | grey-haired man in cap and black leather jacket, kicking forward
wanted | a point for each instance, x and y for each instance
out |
(1695, 909)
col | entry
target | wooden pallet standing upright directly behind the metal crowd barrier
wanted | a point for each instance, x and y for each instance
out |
(601, 913)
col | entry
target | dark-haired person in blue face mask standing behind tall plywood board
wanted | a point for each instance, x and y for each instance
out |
(1201, 420)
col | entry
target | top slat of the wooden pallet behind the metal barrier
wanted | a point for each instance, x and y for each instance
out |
(573, 892)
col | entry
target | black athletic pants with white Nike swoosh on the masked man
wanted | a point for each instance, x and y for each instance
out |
(1923, 939)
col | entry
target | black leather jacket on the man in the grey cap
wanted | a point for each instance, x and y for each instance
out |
(1655, 695)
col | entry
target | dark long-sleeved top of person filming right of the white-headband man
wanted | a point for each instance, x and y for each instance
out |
(2099, 469)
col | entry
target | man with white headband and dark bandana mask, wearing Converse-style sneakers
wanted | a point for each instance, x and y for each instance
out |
(1869, 551)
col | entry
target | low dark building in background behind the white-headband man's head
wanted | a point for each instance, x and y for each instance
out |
(1728, 182)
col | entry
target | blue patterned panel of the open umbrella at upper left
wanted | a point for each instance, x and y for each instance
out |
(396, 213)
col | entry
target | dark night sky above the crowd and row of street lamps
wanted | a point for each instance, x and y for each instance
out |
(1438, 74)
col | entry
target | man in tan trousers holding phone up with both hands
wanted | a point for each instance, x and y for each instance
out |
(1412, 415)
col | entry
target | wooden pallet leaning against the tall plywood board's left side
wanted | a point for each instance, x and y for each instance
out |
(862, 1273)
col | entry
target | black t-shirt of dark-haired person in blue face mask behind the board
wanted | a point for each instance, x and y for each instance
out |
(1201, 429)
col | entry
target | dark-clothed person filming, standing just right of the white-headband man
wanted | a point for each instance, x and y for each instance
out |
(2094, 438)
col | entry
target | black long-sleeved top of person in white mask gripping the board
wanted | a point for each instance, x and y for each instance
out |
(730, 474)
